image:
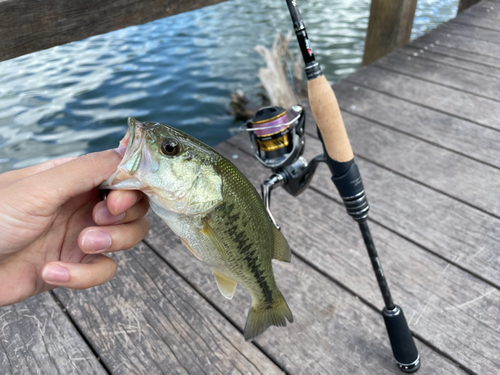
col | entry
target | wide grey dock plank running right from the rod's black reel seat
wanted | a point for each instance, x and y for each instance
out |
(457, 232)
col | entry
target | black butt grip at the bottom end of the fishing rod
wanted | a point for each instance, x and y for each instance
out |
(403, 347)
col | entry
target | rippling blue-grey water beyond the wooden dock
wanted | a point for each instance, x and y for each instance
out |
(180, 70)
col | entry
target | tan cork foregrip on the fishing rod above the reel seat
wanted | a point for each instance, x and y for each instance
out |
(326, 112)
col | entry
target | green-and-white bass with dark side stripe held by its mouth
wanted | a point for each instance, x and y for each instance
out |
(215, 211)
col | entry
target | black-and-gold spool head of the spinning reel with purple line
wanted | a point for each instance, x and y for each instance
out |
(276, 140)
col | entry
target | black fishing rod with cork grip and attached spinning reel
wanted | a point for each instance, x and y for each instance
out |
(278, 143)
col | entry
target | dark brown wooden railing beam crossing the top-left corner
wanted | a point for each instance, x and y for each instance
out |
(32, 25)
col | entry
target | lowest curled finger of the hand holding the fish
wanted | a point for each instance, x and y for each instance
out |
(94, 270)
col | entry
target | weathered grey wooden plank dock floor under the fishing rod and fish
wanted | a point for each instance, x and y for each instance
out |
(424, 122)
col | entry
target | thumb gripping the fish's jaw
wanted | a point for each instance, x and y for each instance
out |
(57, 185)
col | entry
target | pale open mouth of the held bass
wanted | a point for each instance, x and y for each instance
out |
(136, 162)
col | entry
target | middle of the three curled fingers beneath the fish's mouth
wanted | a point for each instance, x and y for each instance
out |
(94, 240)
